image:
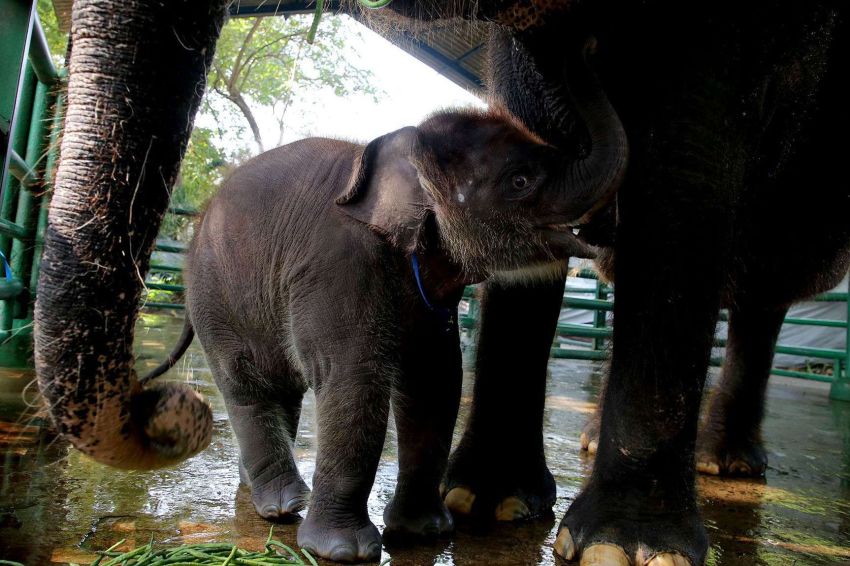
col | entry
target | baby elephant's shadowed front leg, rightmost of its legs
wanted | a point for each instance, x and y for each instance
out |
(425, 405)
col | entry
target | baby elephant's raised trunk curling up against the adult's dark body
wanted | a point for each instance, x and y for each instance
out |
(588, 184)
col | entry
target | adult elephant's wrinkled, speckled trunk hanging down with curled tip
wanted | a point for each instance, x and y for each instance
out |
(137, 73)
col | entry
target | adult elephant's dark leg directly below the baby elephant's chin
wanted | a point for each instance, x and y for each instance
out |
(499, 467)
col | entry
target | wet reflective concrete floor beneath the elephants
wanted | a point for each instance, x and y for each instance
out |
(57, 506)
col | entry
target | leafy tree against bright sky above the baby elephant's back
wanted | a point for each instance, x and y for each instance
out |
(260, 64)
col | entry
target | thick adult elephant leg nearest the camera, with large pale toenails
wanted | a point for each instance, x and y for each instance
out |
(640, 499)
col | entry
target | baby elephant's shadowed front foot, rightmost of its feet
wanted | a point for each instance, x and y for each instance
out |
(409, 516)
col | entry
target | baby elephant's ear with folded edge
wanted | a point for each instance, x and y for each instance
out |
(384, 190)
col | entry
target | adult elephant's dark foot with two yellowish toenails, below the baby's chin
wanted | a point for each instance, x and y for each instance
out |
(512, 488)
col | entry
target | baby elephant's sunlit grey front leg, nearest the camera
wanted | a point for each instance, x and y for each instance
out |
(352, 405)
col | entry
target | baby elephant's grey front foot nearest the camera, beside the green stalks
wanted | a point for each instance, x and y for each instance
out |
(360, 542)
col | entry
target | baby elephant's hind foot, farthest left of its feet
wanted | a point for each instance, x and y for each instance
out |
(279, 498)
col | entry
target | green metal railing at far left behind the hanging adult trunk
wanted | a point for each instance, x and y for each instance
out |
(31, 112)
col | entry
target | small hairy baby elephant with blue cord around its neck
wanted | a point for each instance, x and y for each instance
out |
(331, 265)
